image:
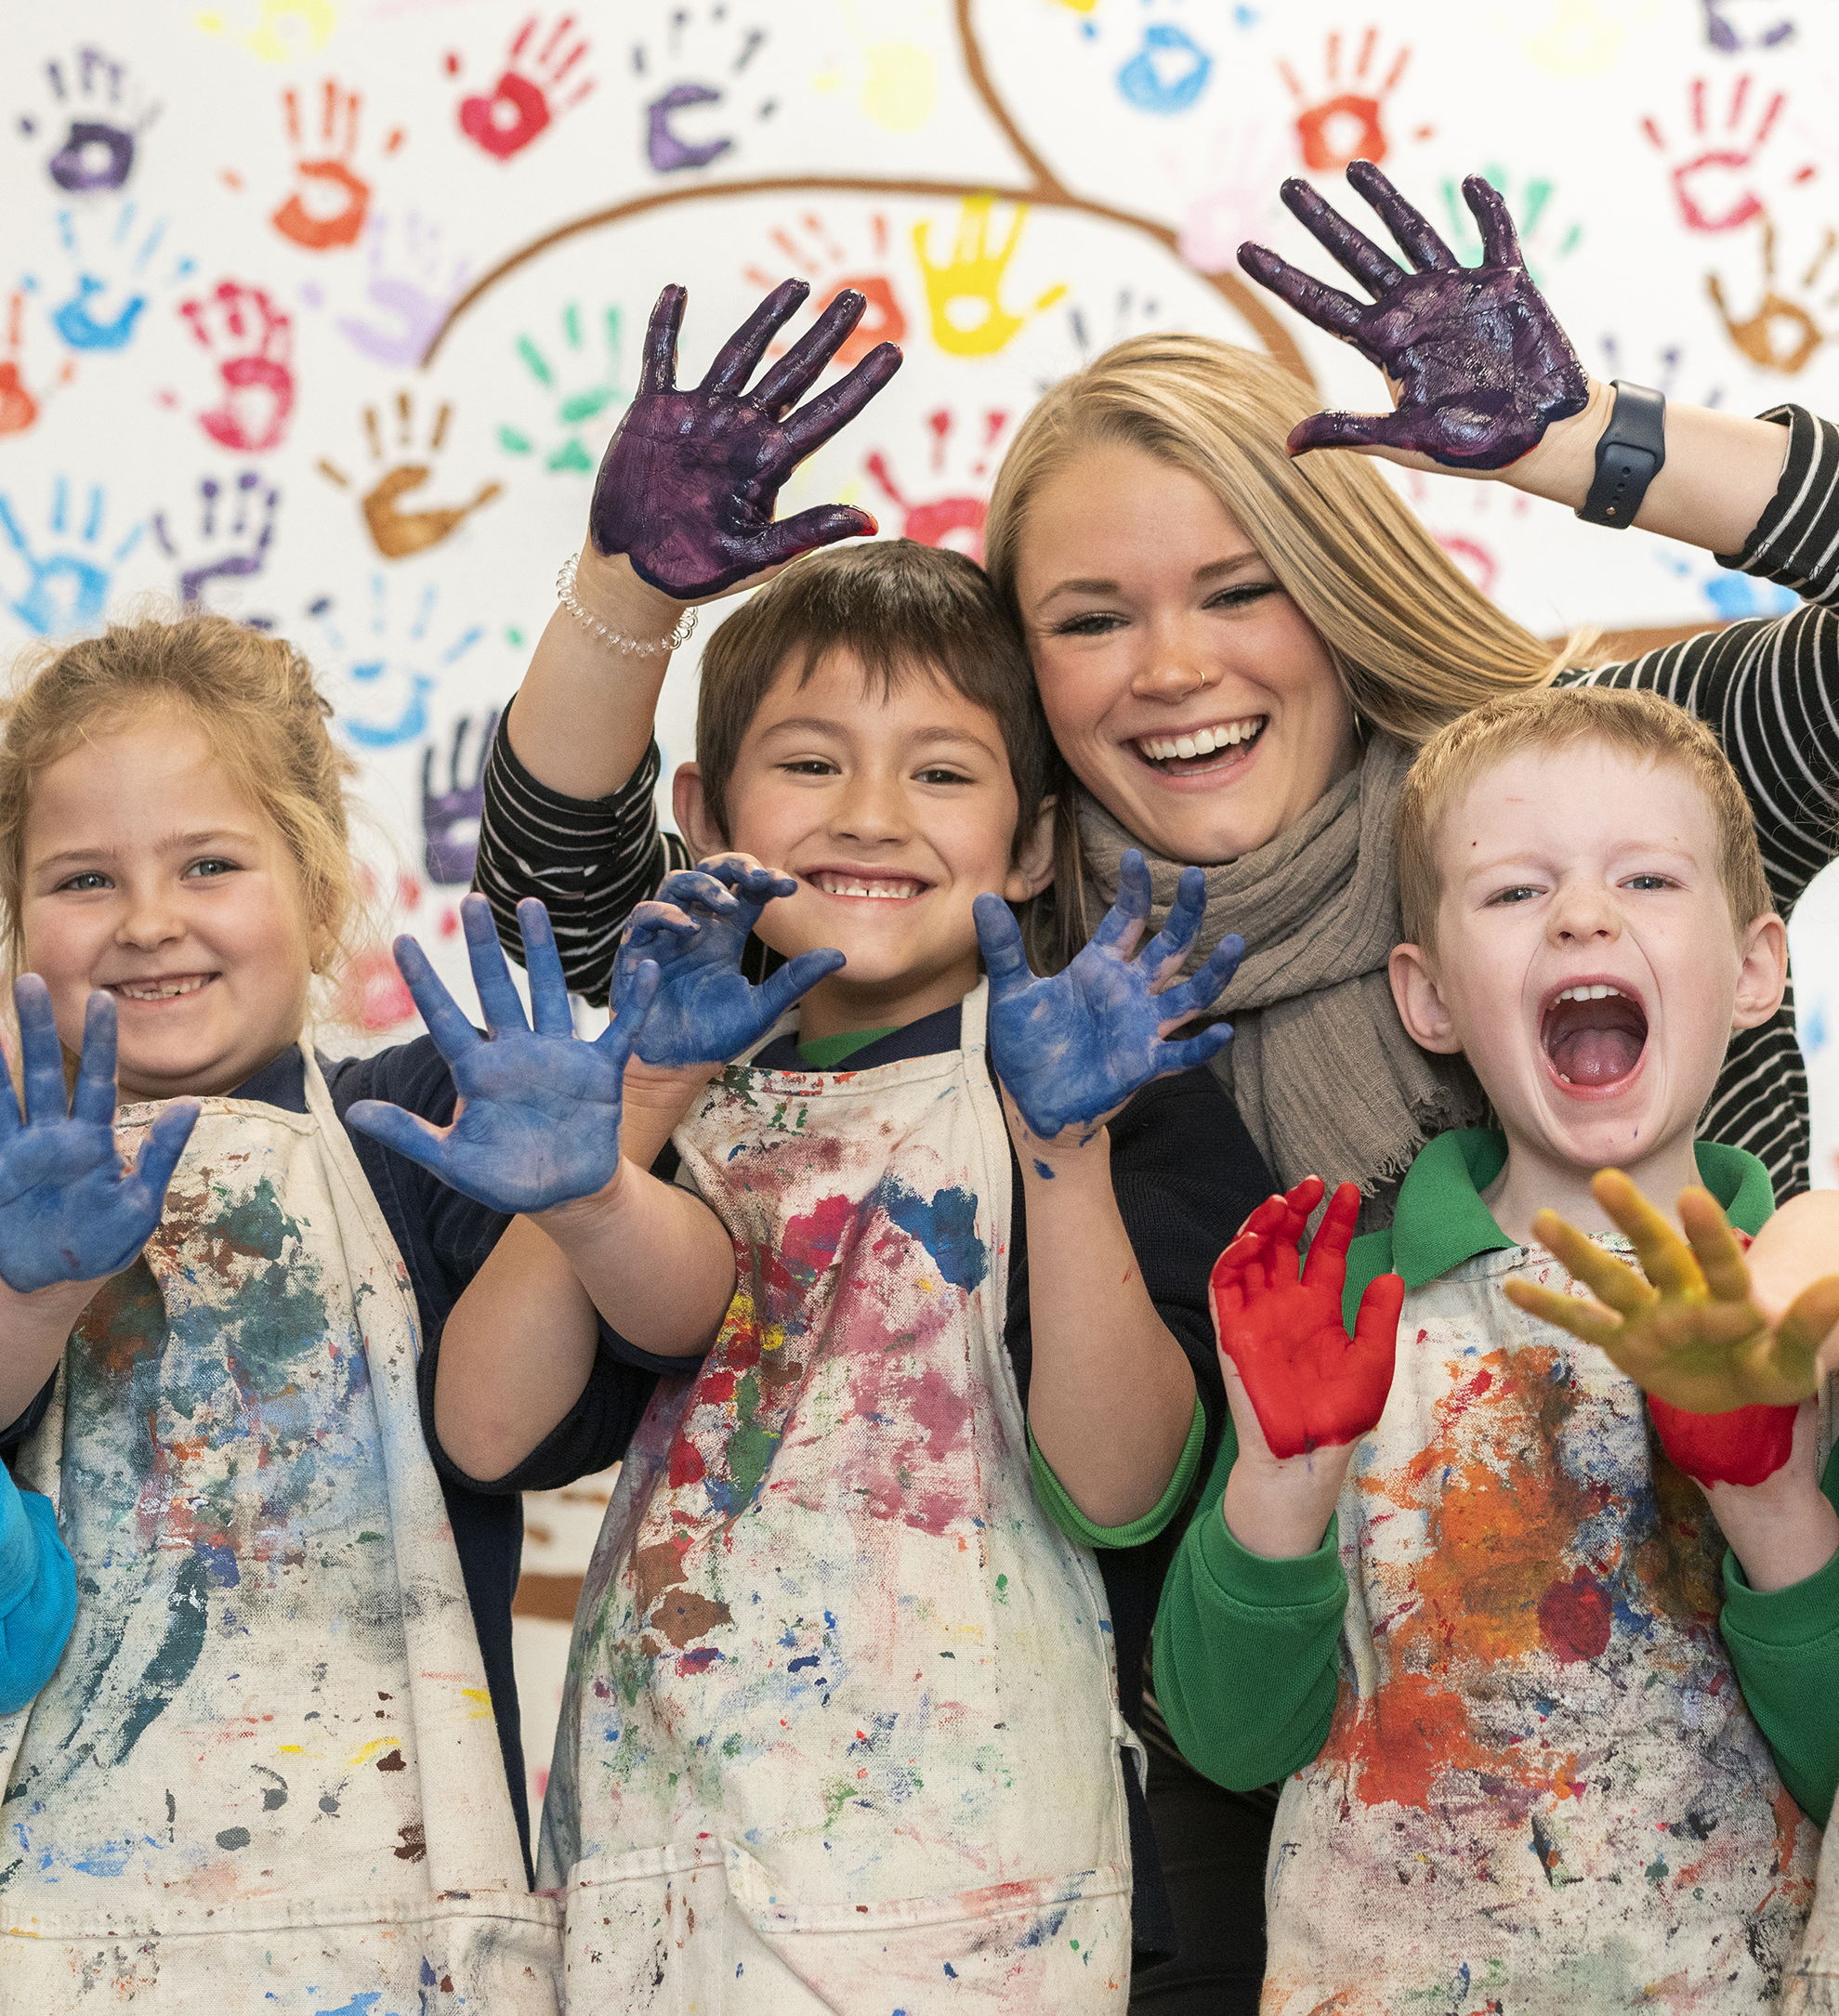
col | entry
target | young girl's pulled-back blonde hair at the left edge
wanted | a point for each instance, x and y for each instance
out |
(259, 711)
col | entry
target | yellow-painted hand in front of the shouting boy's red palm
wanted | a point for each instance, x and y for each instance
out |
(1687, 1328)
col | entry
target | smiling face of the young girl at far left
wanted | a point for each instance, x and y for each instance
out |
(150, 876)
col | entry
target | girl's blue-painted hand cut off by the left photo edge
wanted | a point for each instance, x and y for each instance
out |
(68, 1211)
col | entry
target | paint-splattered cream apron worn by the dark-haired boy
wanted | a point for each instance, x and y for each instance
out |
(840, 1727)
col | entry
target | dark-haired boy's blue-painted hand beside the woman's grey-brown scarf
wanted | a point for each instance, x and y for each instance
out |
(1076, 1047)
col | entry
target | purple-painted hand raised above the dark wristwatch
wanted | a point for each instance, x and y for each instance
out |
(1479, 362)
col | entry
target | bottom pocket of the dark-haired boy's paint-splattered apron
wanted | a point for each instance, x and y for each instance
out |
(699, 1930)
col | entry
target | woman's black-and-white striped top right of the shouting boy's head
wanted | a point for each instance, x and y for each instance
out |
(1769, 690)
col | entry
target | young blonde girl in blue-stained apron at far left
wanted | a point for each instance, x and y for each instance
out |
(267, 1763)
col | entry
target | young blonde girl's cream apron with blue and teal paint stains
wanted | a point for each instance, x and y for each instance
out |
(265, 1775)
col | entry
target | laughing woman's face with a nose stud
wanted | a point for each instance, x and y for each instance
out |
(1185, 688)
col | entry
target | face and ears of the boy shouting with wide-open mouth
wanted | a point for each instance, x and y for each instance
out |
(1586, 959)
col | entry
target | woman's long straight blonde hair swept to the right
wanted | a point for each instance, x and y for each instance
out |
(1411, 636)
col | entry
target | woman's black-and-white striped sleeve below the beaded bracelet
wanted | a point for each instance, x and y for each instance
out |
(590, 860)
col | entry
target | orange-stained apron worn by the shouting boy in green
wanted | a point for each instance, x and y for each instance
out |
(1542, 1791)
